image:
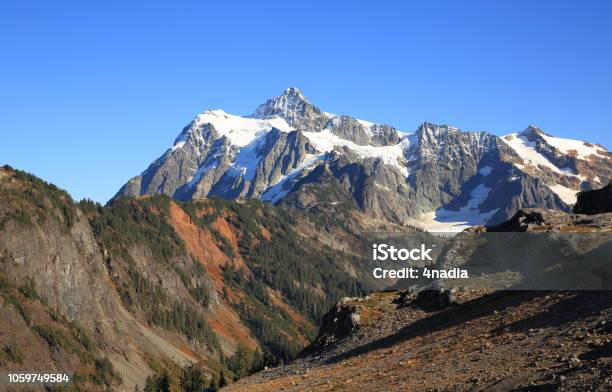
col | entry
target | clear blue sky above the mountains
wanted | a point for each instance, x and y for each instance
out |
(92, 92)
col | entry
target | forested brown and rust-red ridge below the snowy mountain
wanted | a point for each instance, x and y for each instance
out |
(147, 286)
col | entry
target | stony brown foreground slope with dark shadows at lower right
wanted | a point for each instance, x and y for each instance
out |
(477, 339)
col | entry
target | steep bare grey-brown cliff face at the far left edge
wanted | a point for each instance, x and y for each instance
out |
(58, 309)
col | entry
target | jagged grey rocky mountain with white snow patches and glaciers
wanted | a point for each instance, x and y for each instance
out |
(440, 178)
